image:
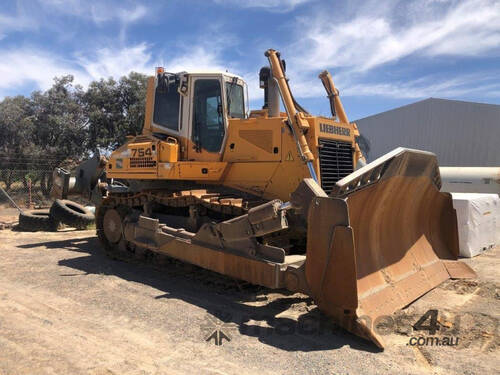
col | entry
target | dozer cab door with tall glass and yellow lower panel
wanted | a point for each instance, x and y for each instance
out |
(208, 122)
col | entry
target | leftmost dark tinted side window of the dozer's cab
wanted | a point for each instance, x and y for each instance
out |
(166, 107)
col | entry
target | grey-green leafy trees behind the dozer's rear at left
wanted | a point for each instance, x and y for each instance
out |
(65, 124)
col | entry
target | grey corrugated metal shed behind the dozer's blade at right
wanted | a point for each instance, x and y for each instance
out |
(459, 133)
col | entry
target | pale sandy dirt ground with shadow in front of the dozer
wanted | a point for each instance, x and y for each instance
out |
(65, 308)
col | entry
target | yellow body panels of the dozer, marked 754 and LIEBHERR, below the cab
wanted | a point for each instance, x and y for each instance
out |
(259, 156)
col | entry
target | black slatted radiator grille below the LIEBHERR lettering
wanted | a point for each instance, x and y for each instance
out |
(335, 162)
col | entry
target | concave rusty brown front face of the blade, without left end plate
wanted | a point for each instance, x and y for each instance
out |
(402, 228)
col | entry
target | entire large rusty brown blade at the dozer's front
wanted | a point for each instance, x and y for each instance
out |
(384, 237)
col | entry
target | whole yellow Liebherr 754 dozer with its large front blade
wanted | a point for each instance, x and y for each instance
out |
(279, 199)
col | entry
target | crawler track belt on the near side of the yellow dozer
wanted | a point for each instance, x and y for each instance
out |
(117, 209)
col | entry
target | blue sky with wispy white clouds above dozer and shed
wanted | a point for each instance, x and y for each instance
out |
(382, 54)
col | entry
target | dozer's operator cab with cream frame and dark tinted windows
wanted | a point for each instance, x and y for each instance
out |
(194, 108)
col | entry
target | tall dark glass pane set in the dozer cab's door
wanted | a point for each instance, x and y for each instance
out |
(208, 121)
